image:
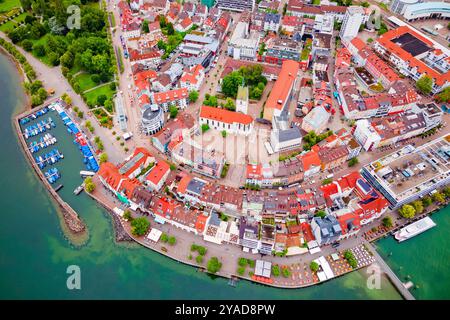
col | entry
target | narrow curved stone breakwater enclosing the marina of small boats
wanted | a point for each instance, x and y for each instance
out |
(71, 218)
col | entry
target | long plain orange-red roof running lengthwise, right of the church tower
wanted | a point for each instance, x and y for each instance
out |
(283, 85)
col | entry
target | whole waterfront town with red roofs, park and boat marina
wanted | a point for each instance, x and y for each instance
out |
(272, 141)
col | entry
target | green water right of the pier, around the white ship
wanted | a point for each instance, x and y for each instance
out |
(424, 258)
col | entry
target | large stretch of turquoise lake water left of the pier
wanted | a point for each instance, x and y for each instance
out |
(34, 253)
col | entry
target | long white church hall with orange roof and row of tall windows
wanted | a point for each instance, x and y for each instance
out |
(225, 120)
